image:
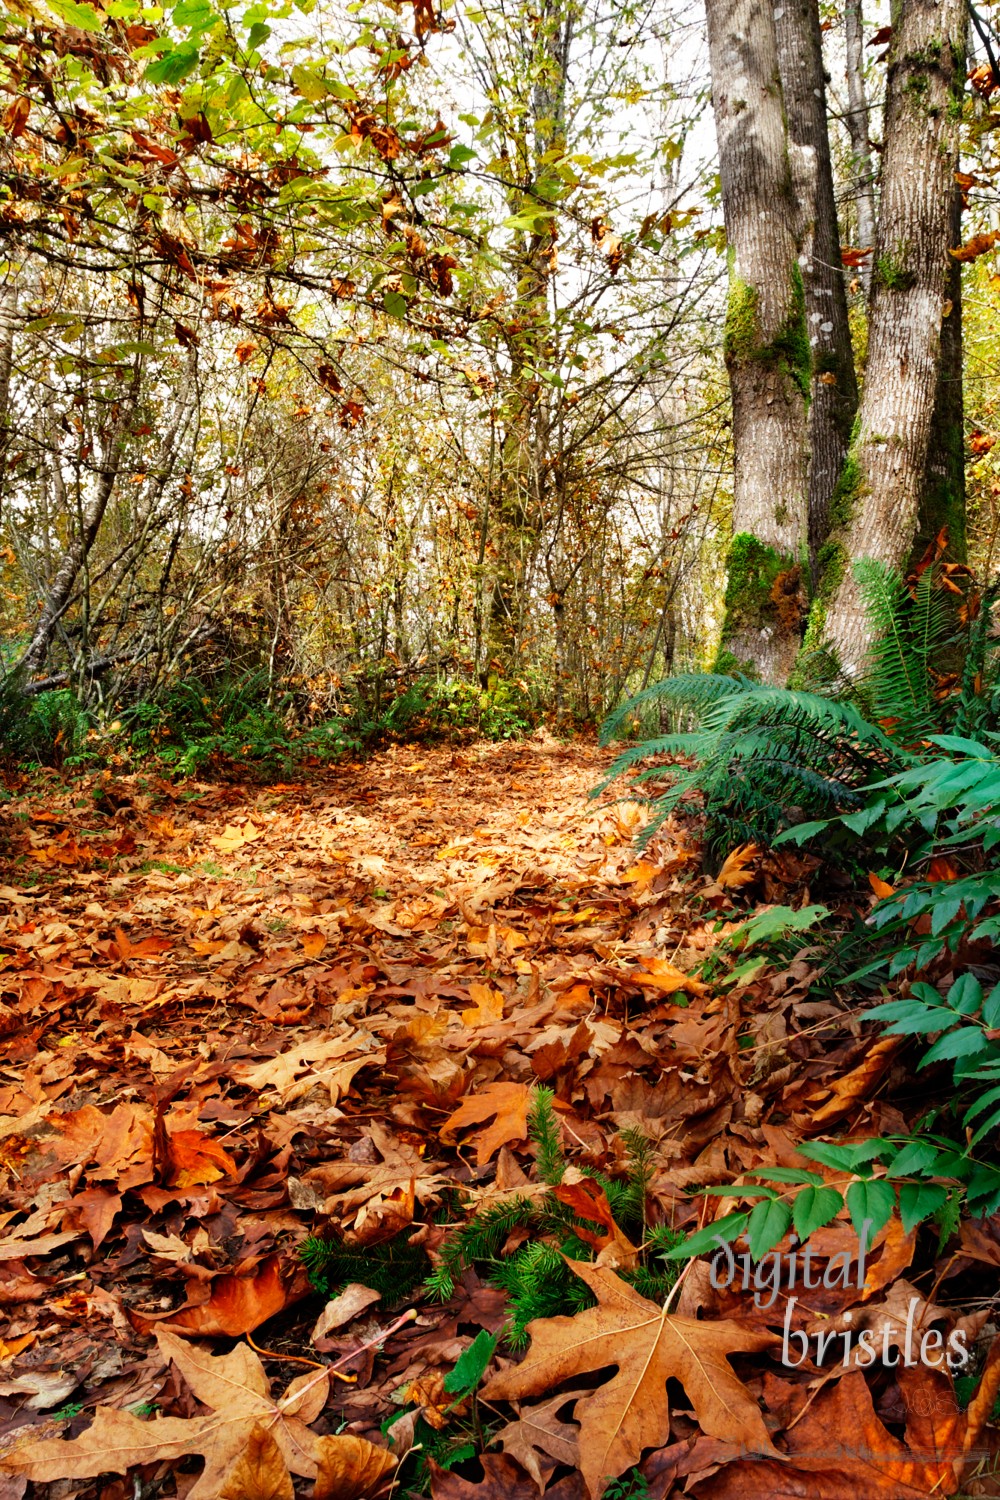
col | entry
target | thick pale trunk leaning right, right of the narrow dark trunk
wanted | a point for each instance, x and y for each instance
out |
(875, 508)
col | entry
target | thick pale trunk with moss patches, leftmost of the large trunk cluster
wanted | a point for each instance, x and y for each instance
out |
(767, 347)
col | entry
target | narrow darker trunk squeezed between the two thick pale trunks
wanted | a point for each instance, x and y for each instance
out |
(834, 391)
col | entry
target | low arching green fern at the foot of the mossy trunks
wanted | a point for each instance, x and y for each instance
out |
(764, 757)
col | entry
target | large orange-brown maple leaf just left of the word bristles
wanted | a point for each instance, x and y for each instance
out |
(648, 1346)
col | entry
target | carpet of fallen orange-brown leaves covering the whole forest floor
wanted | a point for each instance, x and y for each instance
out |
(236, 1016)
